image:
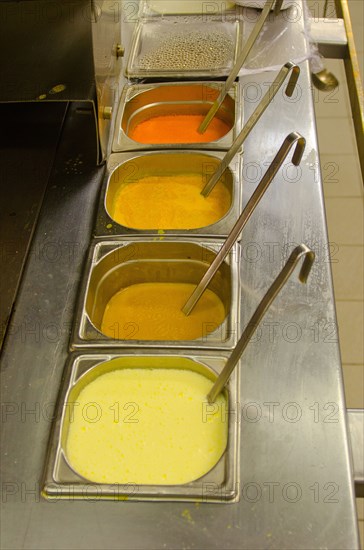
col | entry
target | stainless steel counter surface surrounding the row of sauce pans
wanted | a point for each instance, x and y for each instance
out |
(296, 486)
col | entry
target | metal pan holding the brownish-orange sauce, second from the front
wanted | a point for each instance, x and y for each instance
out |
(113, 266)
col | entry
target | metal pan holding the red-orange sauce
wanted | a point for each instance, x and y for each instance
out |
(140, 102)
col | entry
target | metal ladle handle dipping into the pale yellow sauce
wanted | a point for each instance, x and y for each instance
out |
(299, 251)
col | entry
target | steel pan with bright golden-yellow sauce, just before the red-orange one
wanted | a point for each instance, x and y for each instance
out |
(163, 168)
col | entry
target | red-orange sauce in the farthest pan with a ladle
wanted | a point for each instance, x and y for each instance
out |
(178, 129)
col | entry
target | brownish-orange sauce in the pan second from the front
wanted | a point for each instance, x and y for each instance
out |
(152, 311)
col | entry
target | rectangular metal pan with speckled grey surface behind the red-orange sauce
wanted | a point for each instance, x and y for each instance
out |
(195, 46)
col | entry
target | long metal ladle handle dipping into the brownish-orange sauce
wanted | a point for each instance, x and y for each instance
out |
(290, 140)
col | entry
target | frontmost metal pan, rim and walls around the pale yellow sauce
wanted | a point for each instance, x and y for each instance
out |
(61, 481)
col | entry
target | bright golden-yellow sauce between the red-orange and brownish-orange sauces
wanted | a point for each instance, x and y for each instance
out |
(169, 202)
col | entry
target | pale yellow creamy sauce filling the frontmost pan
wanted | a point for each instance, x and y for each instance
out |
(146, 426)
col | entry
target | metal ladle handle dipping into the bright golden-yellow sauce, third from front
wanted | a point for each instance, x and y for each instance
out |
(272, 91)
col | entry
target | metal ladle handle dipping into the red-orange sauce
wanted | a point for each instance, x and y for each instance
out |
(239, 62)
